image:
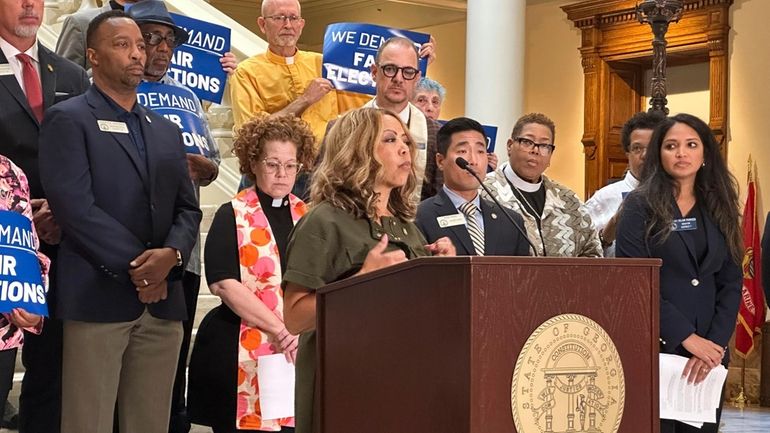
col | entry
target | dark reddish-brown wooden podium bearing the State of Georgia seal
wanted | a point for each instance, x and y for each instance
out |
(430, 345)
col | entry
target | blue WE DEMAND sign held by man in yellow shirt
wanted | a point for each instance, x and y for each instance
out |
(350, 50)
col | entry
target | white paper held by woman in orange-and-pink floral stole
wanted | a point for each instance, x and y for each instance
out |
(276, 386)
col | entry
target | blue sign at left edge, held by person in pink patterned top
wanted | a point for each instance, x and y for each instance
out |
(21, 283)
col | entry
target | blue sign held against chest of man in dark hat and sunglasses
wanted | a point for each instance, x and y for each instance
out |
(178, 105)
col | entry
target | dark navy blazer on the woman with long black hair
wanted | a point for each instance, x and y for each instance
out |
(701, 299)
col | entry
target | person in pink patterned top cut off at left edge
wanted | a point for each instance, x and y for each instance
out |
(14, 197)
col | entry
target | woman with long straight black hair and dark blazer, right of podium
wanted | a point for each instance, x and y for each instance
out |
(685, 212)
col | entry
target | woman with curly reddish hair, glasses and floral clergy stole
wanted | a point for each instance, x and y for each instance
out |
(245, 259)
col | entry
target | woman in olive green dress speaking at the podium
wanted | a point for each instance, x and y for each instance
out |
(361, 221)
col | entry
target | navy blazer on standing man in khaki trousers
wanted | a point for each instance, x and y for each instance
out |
(112, 206)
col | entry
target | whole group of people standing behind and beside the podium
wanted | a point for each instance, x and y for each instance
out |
(335, 184)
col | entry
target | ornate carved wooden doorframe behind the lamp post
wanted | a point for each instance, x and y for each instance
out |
(614, 43)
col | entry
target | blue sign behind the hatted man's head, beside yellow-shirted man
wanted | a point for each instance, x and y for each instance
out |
(196, 63)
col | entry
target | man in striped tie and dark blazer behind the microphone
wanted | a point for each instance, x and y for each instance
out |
(475, 226)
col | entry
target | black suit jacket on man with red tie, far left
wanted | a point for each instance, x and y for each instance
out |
(19, 129)
